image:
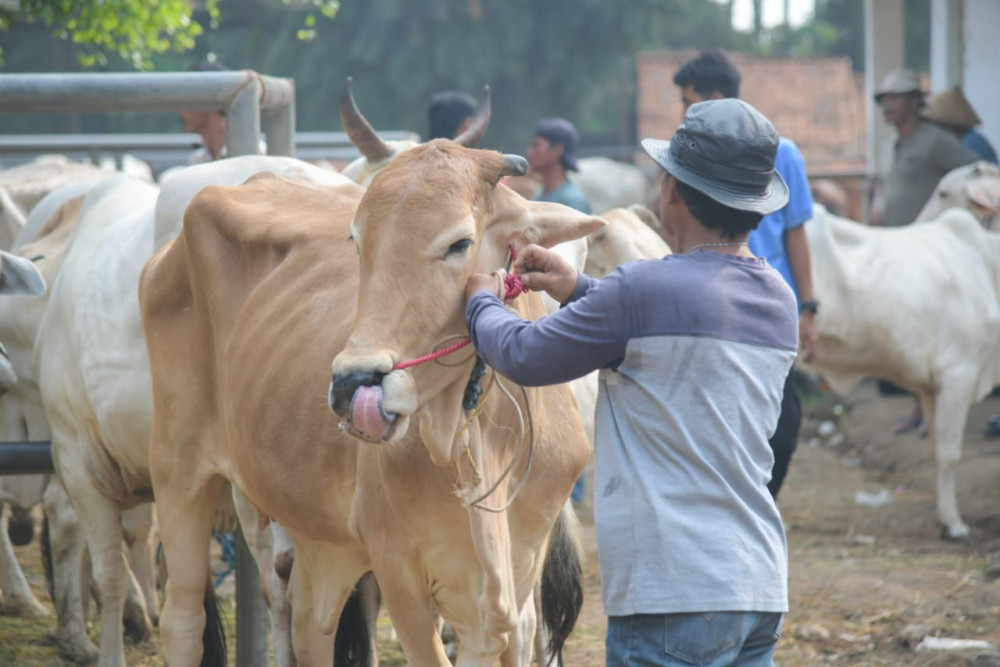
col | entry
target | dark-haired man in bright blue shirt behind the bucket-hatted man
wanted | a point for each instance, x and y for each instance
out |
(780, 238)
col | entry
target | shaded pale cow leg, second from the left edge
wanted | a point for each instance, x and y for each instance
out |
(67, 546)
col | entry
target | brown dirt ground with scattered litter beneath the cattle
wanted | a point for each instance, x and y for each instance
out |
(867, 584)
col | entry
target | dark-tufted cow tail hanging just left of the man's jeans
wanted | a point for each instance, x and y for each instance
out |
(562, 581)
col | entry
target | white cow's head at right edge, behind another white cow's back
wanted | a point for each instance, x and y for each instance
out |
(975, 186)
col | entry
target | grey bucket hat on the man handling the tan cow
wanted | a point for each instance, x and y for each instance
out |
(725, 149)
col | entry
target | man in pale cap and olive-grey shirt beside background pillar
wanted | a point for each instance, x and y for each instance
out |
(922, 153)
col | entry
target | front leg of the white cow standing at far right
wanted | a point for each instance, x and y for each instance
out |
(948, 412)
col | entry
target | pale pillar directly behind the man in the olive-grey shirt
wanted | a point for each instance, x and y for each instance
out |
(883, 53)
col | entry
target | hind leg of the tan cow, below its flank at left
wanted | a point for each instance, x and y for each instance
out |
(185, 511)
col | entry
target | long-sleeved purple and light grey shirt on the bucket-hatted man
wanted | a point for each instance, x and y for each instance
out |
(693, 351)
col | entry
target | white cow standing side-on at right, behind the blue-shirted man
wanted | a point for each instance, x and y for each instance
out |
(917, 306)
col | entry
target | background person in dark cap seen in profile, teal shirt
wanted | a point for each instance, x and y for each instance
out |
(553, 153)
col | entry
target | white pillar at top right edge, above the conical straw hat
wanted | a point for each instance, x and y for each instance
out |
(981, 27)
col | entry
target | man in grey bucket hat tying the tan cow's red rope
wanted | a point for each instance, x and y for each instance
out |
(693, 350)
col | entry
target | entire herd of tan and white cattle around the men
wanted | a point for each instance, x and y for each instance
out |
(236, 341)
